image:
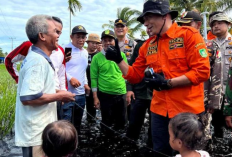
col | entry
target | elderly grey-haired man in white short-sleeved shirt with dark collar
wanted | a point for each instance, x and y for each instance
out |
(36, 94)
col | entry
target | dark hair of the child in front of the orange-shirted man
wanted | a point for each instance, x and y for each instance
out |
(188, 128)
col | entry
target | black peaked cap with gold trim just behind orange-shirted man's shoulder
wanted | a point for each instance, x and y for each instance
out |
(189, 16)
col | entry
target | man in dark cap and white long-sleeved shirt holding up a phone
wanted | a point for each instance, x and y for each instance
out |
(76, 75)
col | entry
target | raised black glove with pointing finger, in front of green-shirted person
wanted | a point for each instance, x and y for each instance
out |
(113, 53)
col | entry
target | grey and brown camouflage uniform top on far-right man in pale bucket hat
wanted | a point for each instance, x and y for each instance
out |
(220, 60)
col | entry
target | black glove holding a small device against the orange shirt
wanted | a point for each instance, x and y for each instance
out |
(158, 82)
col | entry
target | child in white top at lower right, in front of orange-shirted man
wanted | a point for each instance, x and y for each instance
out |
(186, 131)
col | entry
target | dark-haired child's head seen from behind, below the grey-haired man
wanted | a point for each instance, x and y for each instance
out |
(59, 139)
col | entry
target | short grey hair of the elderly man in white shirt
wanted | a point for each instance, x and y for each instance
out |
(35, 25)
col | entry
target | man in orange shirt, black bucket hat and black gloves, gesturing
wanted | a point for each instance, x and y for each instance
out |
(180, 62)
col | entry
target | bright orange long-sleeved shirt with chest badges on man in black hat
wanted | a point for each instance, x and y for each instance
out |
(180, 51)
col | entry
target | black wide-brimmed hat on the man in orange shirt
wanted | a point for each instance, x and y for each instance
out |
(160, 7)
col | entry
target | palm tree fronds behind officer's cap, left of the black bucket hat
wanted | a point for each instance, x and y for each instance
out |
(129, 15)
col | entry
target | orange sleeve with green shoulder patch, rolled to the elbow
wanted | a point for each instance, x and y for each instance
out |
(197, 58)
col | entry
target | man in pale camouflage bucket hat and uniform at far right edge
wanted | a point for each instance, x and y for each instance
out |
(219, 24)
